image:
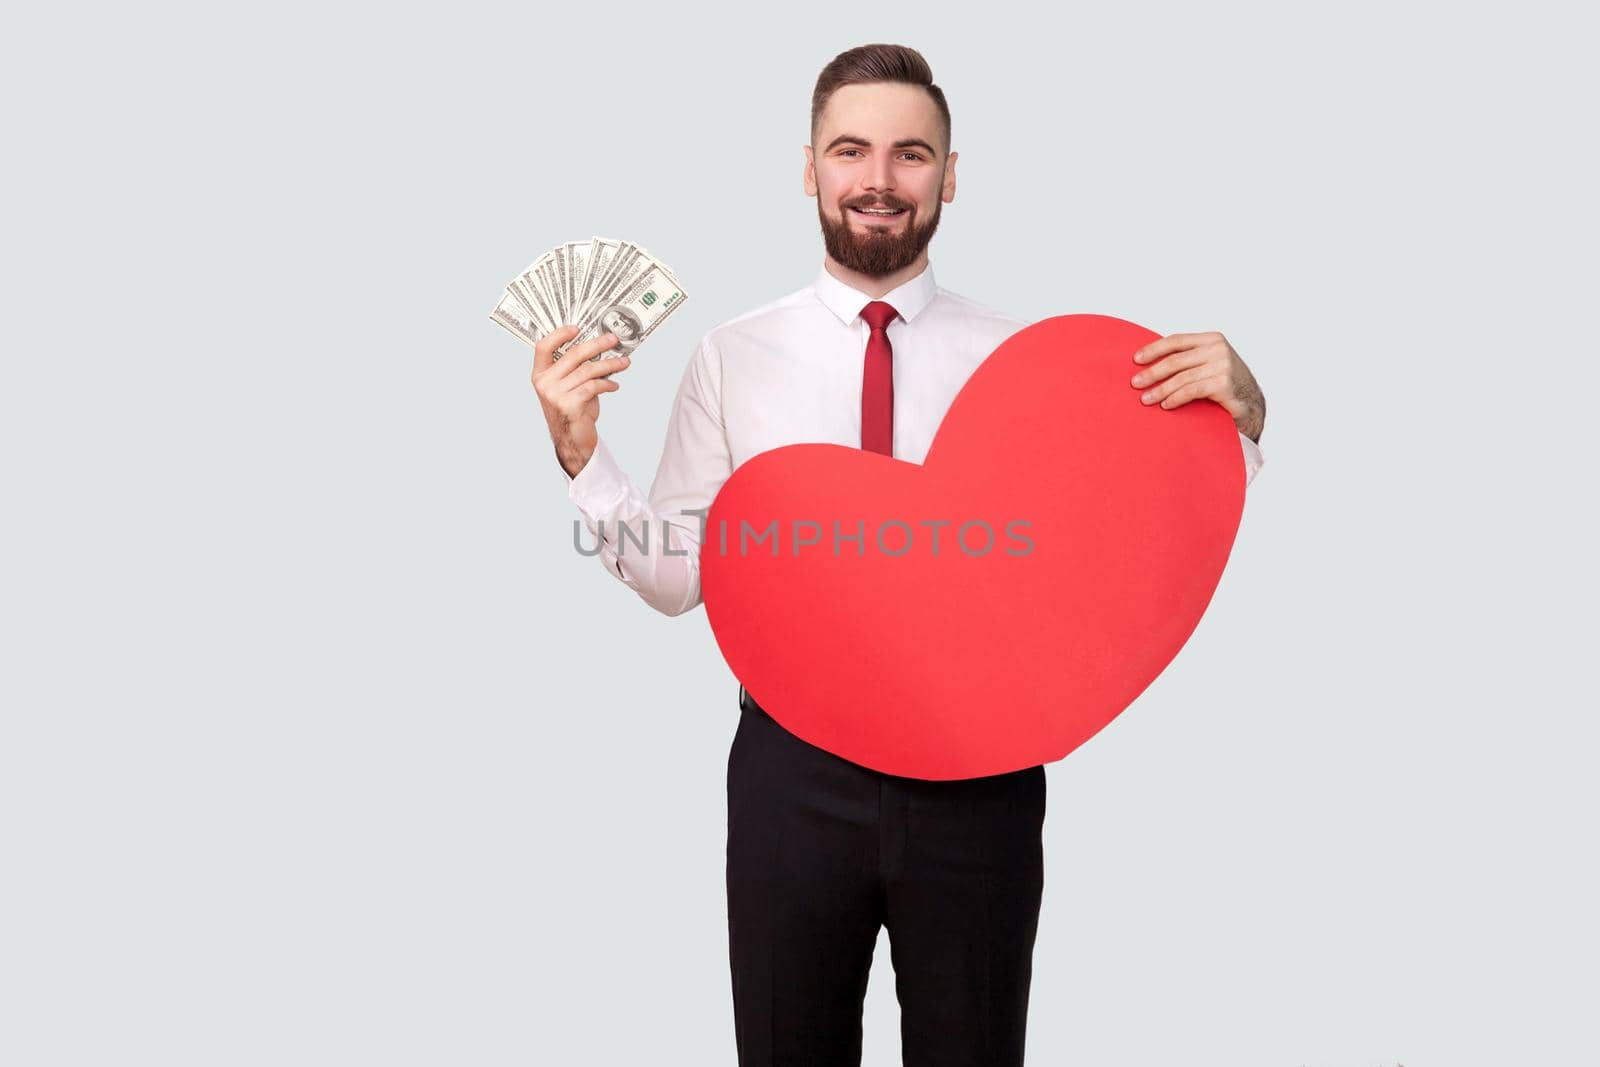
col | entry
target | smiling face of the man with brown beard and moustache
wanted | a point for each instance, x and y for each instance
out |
(879, 146)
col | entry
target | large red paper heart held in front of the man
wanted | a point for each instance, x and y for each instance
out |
(950, 663)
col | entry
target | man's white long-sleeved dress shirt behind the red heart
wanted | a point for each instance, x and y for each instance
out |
(785, 374)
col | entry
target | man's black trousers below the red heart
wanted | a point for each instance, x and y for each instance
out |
(823, 852)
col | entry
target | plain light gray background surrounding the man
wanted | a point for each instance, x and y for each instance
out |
(324, 748)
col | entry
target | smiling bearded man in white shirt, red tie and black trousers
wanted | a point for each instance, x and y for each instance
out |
(823, 852)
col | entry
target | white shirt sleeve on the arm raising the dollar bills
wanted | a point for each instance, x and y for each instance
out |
(652, 545)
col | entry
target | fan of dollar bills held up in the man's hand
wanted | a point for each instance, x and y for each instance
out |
(599, 286)
